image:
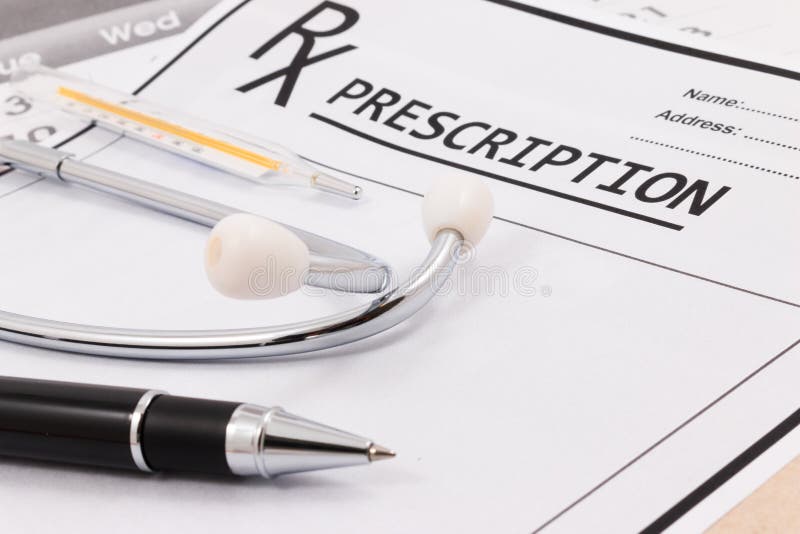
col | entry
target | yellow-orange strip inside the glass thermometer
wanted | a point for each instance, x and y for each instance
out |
(101, 108)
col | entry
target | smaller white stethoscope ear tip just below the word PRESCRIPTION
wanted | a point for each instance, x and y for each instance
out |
(462, 202)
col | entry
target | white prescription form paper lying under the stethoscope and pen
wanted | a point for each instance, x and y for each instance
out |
(623, 343)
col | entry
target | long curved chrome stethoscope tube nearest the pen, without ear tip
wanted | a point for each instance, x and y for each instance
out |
(384, 312)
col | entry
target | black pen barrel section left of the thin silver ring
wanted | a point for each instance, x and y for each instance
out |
(67, 422)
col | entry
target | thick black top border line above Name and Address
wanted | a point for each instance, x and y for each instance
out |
(649, 41)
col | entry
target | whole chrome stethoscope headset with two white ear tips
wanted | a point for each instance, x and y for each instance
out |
(456, 213)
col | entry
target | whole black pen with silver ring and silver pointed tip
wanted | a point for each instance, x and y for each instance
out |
(150, 431)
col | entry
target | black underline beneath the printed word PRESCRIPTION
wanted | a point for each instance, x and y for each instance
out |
(520, 183)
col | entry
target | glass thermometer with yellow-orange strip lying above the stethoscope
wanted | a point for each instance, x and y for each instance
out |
(214, 145)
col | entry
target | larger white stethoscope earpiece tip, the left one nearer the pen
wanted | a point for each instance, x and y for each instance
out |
(250, 257)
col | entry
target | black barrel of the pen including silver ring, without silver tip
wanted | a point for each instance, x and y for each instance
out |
(112, 426)
